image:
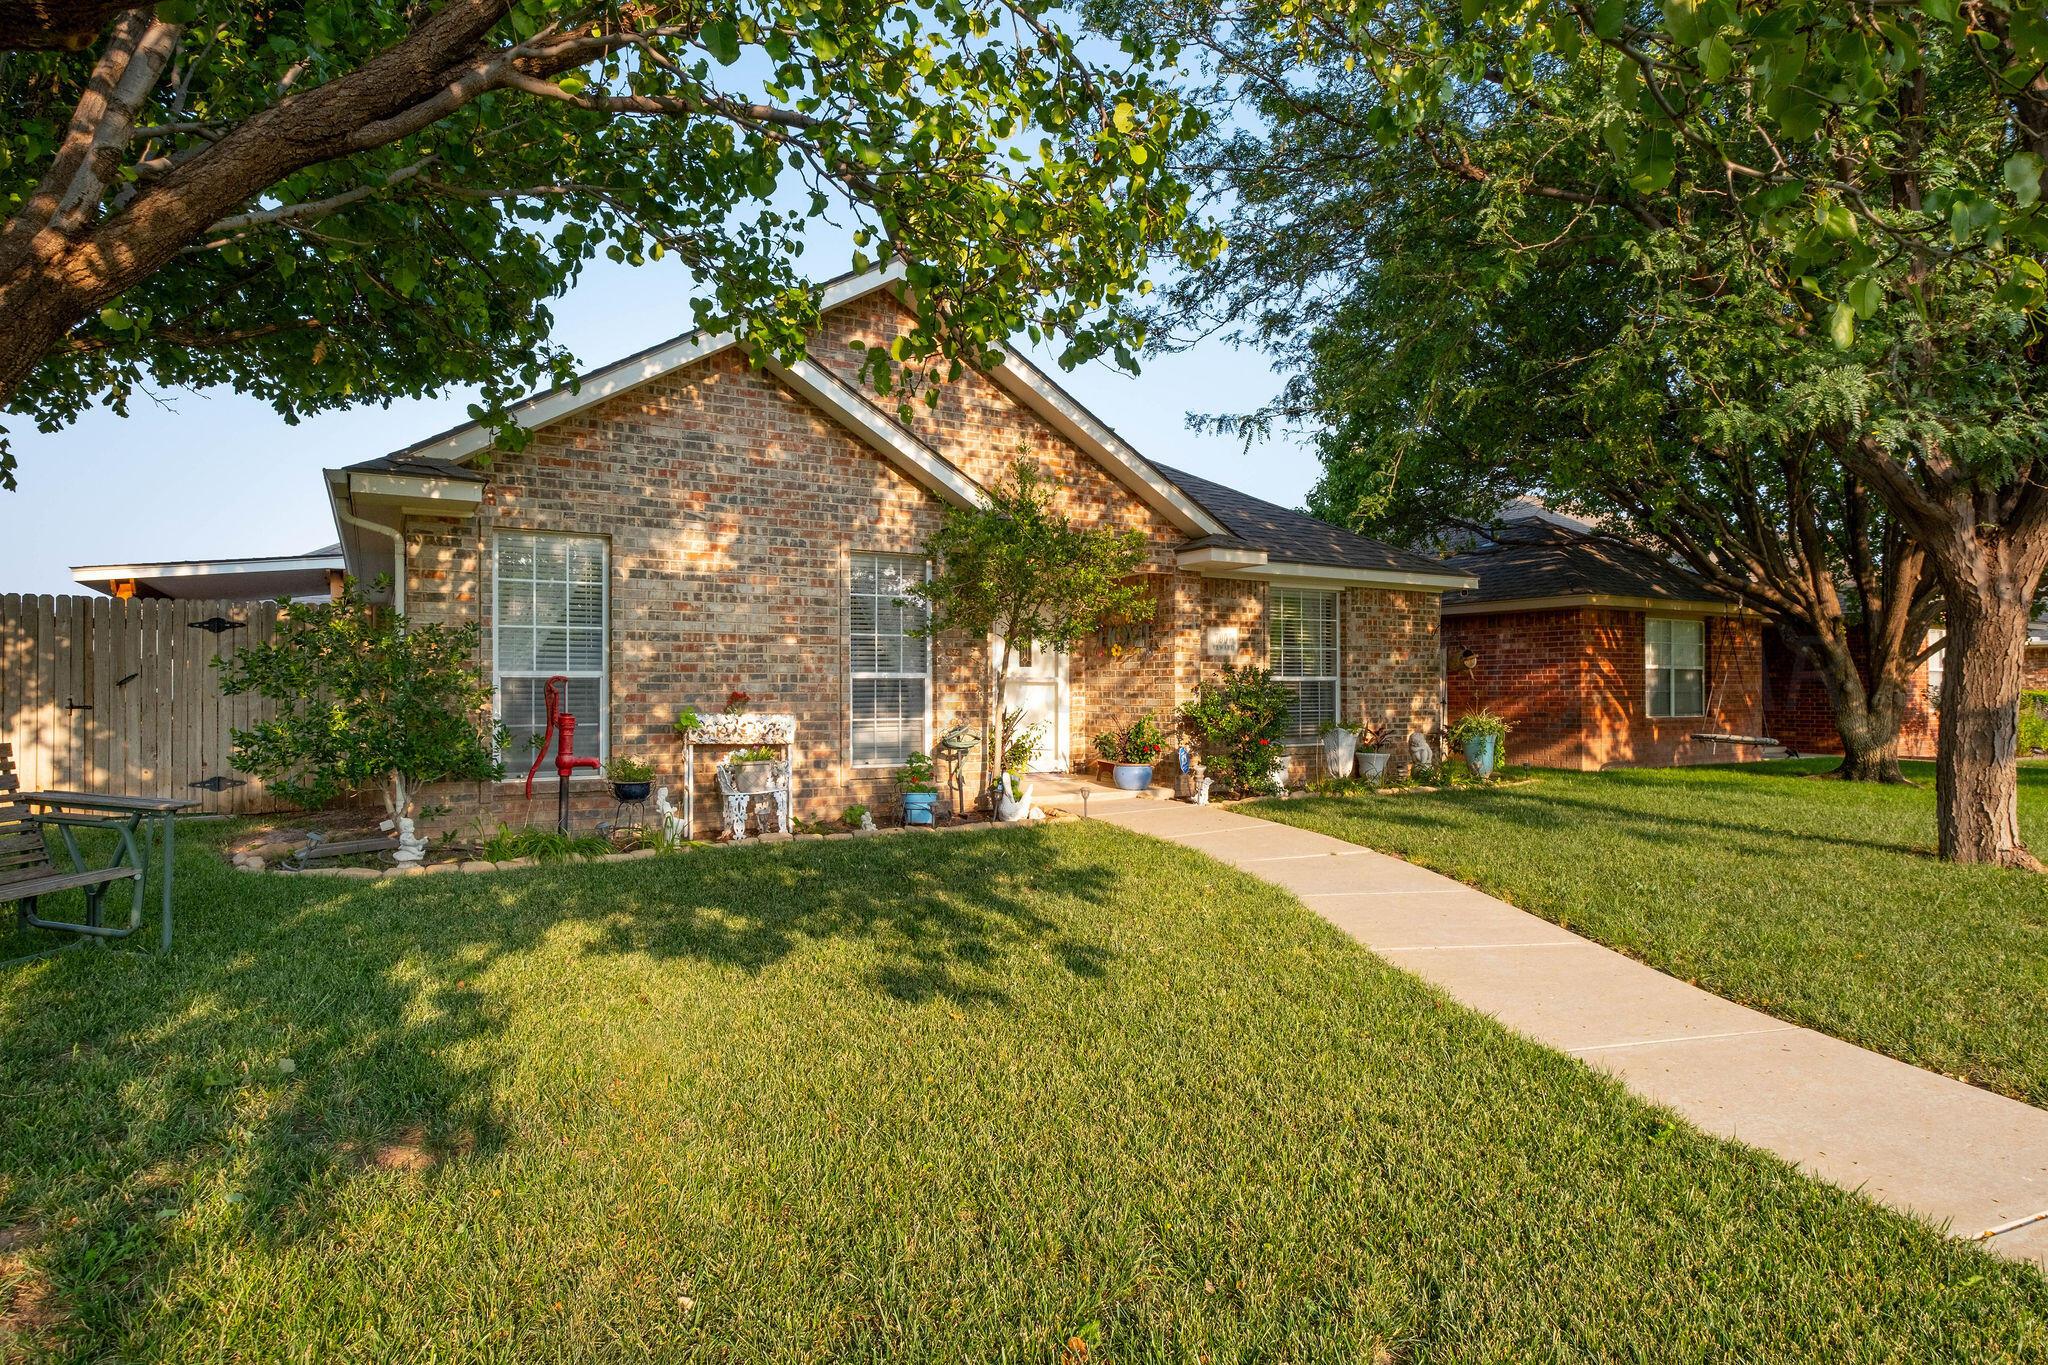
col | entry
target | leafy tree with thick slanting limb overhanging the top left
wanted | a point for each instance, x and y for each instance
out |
(341, 202)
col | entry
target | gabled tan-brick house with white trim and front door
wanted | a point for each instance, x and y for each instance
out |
(693, 521)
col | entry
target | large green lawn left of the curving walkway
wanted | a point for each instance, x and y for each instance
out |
(929, 1098)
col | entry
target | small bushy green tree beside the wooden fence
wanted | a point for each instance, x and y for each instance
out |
(364, 699)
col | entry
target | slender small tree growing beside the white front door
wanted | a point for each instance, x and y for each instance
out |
(1017, 570)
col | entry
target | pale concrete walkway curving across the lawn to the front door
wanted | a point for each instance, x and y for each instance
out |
(1947, 1151)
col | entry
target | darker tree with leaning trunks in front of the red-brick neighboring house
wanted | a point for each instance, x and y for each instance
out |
(1437, 400)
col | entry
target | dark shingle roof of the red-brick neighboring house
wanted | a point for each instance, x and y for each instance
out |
(1551, 562)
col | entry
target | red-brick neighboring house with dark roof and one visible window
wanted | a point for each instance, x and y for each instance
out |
(1601, 654)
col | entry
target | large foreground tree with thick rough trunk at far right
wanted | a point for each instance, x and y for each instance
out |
(1846, 193)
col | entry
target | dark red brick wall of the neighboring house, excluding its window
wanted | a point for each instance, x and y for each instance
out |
(1572, 685)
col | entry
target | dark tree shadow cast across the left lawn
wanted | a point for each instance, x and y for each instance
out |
(312, 1032)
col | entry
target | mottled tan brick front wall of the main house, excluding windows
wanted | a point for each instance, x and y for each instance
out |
(732, 509)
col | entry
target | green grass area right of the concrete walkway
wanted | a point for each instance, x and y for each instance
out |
(1811, 899)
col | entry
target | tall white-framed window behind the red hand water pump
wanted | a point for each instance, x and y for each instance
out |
(548, 617)
